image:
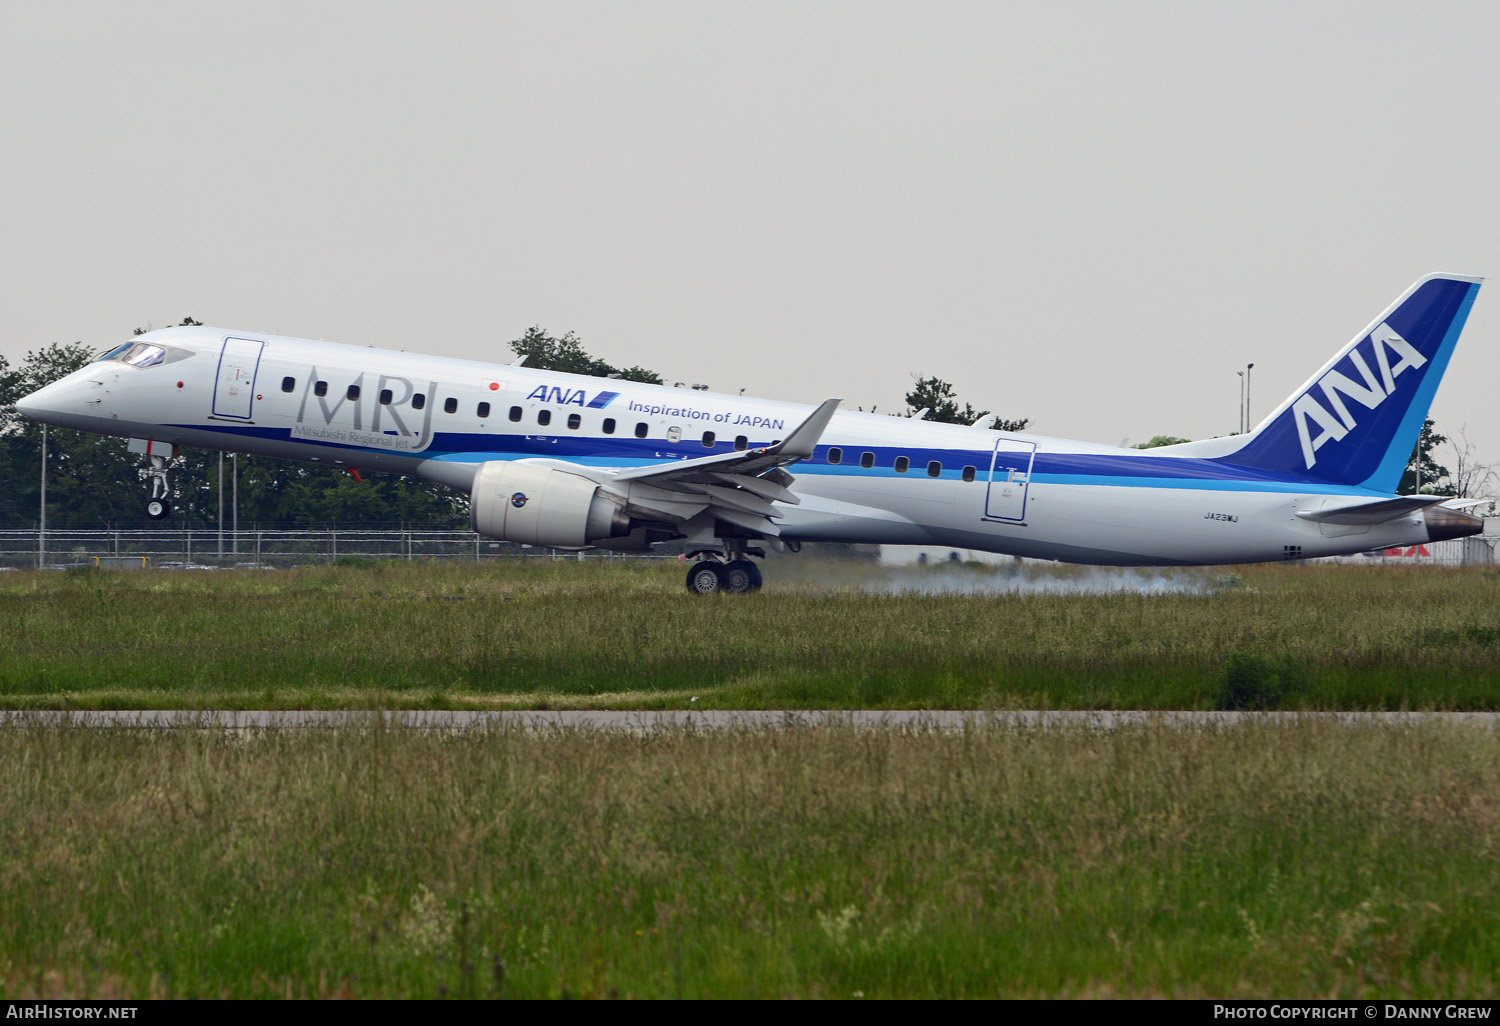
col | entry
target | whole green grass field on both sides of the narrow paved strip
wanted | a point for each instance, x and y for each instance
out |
(1310, 860)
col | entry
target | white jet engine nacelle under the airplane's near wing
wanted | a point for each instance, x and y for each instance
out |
(542, 506)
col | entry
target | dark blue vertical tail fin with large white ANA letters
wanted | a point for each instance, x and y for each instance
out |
(1357, 421)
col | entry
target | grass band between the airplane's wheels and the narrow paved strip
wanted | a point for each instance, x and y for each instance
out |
(823, 635)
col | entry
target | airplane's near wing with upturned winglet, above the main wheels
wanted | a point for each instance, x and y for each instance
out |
(737, 488)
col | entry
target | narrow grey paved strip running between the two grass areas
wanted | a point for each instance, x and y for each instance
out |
(647, 722)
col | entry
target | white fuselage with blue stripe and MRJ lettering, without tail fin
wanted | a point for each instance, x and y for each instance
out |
(872, 479)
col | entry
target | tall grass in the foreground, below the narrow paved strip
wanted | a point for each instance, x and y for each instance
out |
(1288, 862)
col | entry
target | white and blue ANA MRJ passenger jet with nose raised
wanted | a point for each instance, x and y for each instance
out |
(572, 463)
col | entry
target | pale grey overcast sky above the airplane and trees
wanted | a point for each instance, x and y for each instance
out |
(1087, 214)
